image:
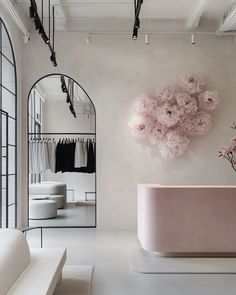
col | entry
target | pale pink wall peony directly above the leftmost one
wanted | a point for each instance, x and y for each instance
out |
(144, 105)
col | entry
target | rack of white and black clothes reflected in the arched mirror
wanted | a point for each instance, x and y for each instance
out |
(67, 157)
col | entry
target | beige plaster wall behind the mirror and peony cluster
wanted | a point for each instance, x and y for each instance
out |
(113, 70)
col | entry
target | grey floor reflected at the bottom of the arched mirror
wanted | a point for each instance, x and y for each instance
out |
(74, 215)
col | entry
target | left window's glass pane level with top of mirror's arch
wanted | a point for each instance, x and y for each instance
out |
(8, 75)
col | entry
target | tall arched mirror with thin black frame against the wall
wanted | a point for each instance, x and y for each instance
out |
(61, 154)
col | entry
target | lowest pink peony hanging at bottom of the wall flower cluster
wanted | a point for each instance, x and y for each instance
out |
(173, 145)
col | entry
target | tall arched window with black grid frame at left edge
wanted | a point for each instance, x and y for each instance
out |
(8, 132)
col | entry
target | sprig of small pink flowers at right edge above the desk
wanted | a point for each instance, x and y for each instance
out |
(229, 152)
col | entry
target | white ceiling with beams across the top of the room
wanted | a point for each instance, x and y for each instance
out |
(85, 15)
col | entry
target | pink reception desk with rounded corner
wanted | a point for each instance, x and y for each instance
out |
(187, 220)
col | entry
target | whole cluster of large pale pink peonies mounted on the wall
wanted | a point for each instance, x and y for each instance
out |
(173, 114)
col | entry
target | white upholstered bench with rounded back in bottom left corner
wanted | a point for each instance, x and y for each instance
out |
(25, 271)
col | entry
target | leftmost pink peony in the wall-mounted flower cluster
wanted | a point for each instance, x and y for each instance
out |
(140, 125)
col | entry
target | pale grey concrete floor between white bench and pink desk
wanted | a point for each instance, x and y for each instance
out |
(108, 252)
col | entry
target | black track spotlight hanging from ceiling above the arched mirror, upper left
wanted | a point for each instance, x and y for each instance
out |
(38, 23)
